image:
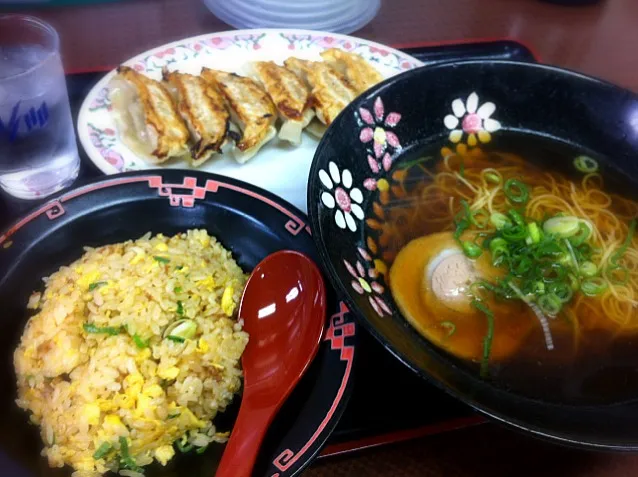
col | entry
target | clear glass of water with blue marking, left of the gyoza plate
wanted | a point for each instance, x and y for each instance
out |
(38, 151)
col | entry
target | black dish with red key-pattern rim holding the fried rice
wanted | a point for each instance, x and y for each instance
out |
(248, 221)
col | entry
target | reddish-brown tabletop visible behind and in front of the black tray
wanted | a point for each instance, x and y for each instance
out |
(598, 40)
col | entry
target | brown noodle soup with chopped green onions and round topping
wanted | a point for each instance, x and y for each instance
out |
(524, 266)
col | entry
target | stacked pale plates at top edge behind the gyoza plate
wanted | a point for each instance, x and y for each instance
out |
(340, 16)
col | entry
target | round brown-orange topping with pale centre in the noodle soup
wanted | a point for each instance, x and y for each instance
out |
(430, 281)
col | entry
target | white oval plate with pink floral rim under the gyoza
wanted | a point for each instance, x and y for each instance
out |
(278, 167)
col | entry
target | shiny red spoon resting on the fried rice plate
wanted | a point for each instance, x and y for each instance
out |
(284, 310)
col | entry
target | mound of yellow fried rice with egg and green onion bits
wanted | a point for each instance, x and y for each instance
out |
(132, 352)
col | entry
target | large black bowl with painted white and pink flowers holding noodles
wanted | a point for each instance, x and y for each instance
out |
(395, 136)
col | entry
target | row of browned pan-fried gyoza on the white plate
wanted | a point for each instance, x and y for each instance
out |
(198, 116)
